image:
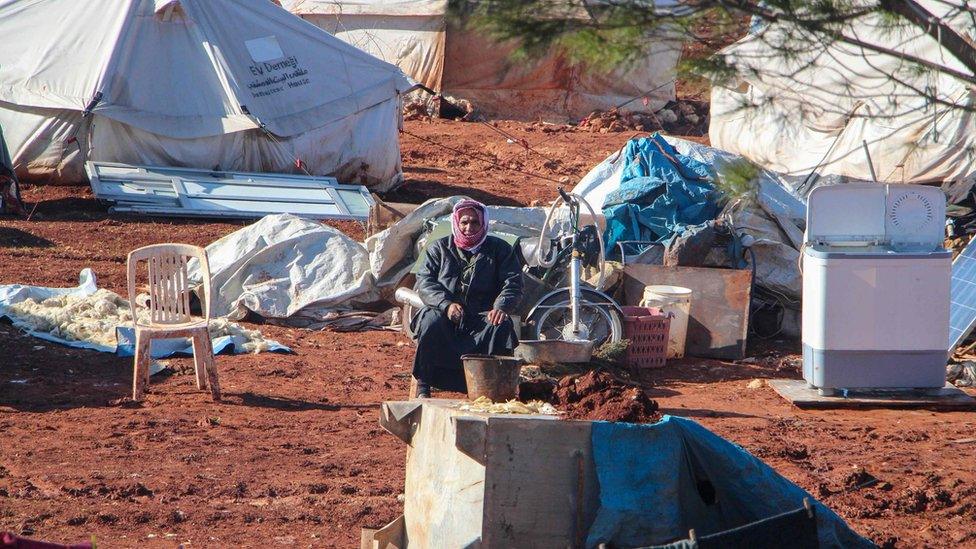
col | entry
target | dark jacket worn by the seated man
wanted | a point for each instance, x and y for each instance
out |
(495, 284)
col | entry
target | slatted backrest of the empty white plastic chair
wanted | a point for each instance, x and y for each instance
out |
(169, 288)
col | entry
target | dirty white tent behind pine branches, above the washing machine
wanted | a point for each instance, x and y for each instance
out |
(817, 110)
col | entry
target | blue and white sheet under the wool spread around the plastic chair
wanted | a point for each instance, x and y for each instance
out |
(87, 285)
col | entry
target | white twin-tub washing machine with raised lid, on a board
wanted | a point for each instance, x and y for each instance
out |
(875, 288)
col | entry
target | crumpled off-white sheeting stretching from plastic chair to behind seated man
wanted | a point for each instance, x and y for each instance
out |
(300, 272)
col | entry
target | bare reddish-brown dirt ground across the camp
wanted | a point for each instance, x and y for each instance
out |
(294, 455)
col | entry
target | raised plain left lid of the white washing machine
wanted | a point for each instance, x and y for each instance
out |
(846, 215)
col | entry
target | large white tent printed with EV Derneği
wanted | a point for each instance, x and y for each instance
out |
(228, 84)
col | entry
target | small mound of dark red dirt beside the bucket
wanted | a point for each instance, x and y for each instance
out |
(597, 395)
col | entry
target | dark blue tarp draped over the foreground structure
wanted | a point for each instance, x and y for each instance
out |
(658, 481)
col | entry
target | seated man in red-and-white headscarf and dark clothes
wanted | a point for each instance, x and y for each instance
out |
(470, 283)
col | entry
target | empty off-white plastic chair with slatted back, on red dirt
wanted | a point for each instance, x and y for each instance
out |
(169, 311)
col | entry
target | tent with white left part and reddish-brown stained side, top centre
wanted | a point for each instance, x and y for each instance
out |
(417, 36)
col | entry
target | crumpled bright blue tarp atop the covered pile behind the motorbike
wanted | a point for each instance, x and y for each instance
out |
(661, 192)
